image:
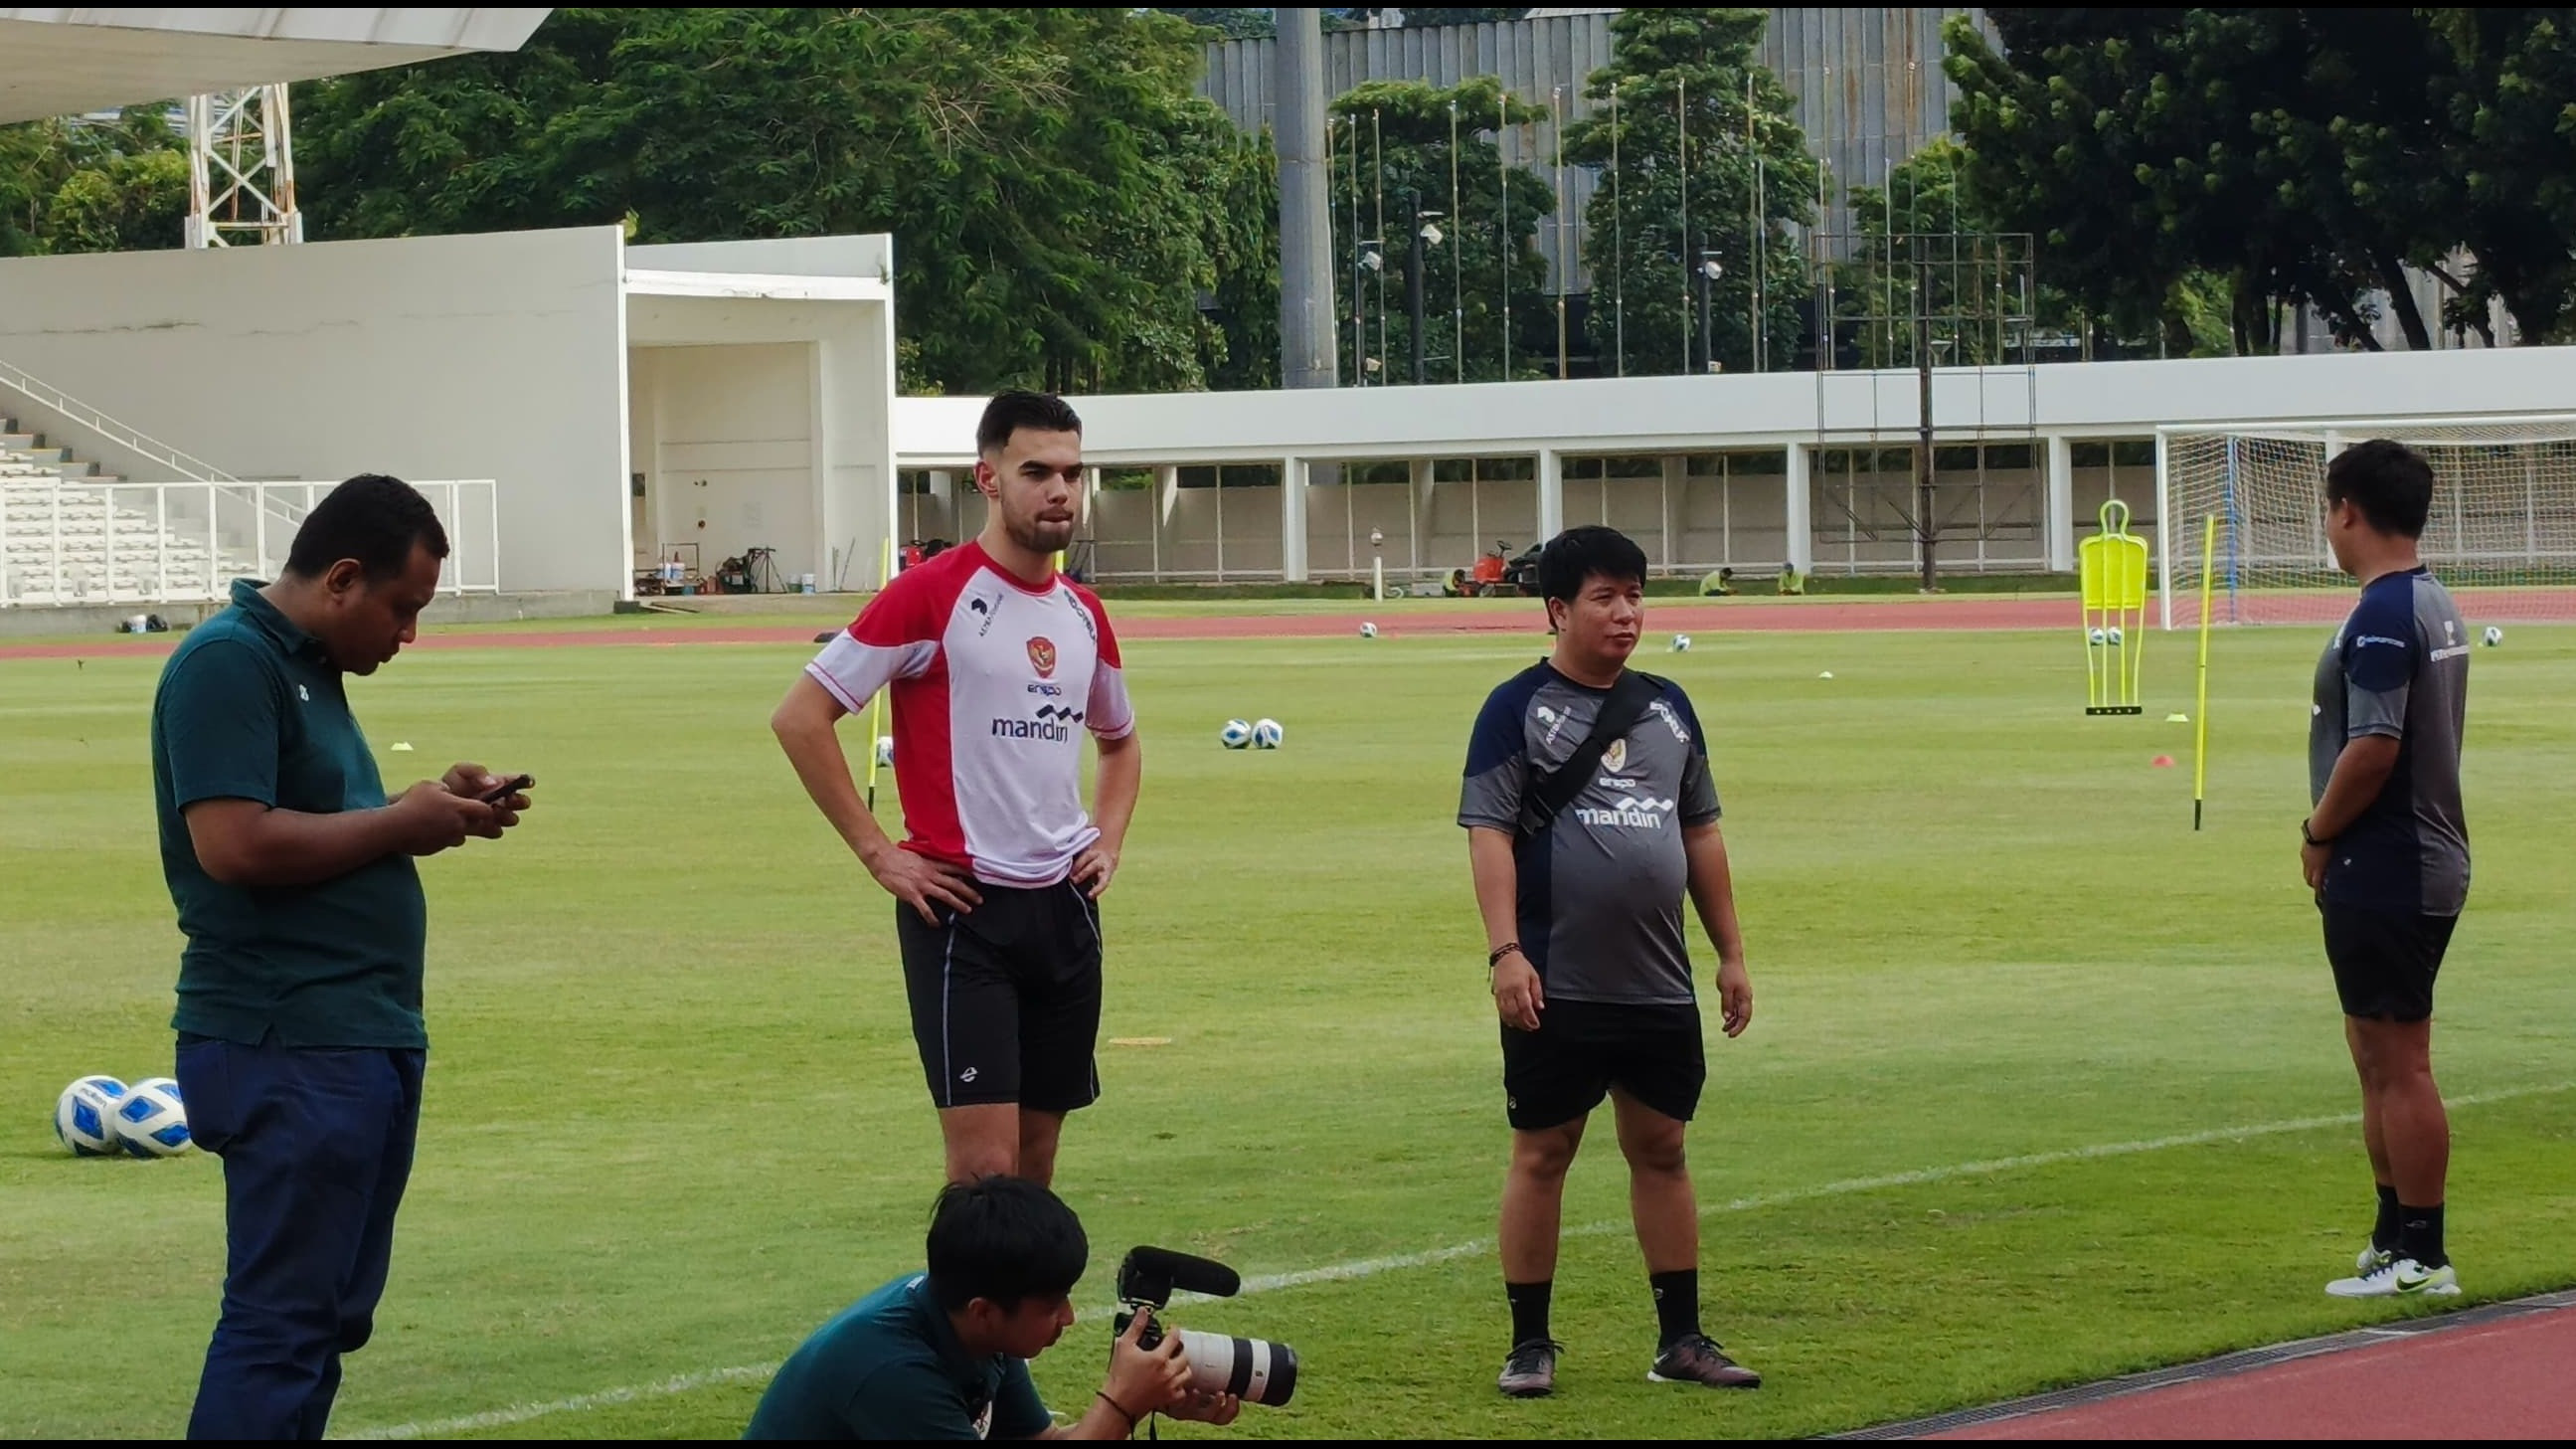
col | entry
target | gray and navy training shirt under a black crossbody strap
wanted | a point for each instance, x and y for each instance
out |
(1601, 891)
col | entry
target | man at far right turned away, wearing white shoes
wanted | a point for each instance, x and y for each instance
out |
(2387, 847)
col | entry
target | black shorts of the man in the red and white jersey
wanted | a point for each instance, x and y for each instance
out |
(1006, 999)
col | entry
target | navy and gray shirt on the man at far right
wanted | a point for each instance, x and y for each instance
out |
(2400, 666)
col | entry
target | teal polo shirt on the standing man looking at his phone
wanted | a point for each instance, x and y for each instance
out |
(251, 708)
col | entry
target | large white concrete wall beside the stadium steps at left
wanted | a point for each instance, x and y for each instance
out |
(426, 357)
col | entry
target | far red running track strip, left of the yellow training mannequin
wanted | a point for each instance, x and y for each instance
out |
(1689, 618)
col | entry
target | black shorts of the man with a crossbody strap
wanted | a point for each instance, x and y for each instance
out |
(1586, 1048)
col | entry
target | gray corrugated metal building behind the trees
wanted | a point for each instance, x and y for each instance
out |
(1869, 86)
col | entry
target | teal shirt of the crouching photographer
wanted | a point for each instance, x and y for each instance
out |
(893, 1368)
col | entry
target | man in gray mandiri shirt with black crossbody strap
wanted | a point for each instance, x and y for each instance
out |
(1583, 914)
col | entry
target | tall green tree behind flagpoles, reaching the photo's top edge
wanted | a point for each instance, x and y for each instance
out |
(1696, 117)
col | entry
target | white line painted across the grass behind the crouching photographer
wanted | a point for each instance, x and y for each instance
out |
(1405, 1262)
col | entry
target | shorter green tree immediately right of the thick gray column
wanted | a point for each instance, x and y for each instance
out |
(1392, 146)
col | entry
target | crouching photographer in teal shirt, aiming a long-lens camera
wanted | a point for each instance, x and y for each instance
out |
(944, 1355)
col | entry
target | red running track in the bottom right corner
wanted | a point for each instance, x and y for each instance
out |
(2510, 1378)
